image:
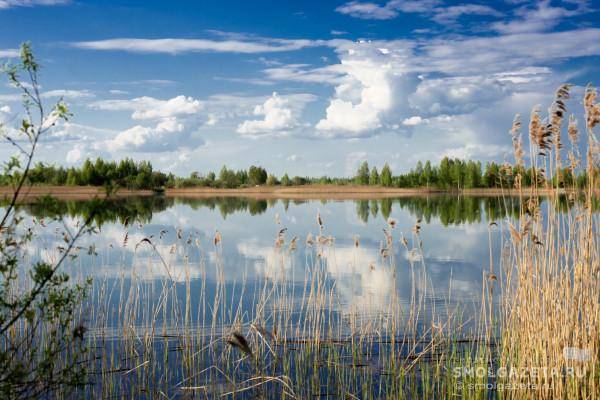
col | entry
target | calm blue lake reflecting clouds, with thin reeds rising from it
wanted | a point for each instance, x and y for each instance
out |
(174, 277)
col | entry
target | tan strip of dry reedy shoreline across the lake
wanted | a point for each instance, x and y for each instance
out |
(305, 192)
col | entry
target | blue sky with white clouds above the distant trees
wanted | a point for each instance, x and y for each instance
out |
(310, 88)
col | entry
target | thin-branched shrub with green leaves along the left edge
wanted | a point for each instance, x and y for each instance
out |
(42, 344)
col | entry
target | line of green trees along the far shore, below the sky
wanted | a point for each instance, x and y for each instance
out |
(448, 174)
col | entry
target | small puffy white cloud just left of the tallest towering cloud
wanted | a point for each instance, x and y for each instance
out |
(277, 118)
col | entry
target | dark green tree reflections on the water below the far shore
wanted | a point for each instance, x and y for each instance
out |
(448, 209)
